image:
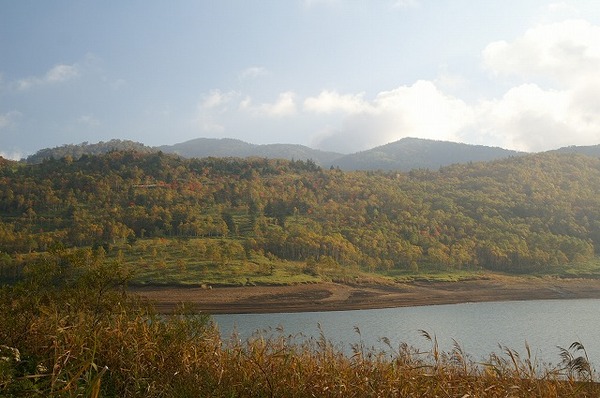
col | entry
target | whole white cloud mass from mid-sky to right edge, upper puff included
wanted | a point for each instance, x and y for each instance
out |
(552, 99)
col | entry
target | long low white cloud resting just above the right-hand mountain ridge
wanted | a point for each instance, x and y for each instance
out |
(527, 117)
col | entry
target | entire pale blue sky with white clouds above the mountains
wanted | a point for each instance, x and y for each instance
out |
(337, 75)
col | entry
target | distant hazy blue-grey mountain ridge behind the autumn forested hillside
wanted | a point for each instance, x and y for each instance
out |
(403, 155)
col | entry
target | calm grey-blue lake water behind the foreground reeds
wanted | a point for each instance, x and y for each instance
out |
(478, 327)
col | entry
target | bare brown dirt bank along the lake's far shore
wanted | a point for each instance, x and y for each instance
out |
(337, 297)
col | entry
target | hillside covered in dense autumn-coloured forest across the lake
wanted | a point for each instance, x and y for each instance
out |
(521, 214)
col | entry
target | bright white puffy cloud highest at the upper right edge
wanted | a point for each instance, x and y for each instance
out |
(566, 51)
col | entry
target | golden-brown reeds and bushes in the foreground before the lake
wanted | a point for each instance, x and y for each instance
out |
(69, 330)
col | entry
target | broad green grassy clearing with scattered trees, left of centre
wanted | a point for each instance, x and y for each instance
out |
(196, 262)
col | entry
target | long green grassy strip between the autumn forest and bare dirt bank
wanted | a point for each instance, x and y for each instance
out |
(225, 262)
